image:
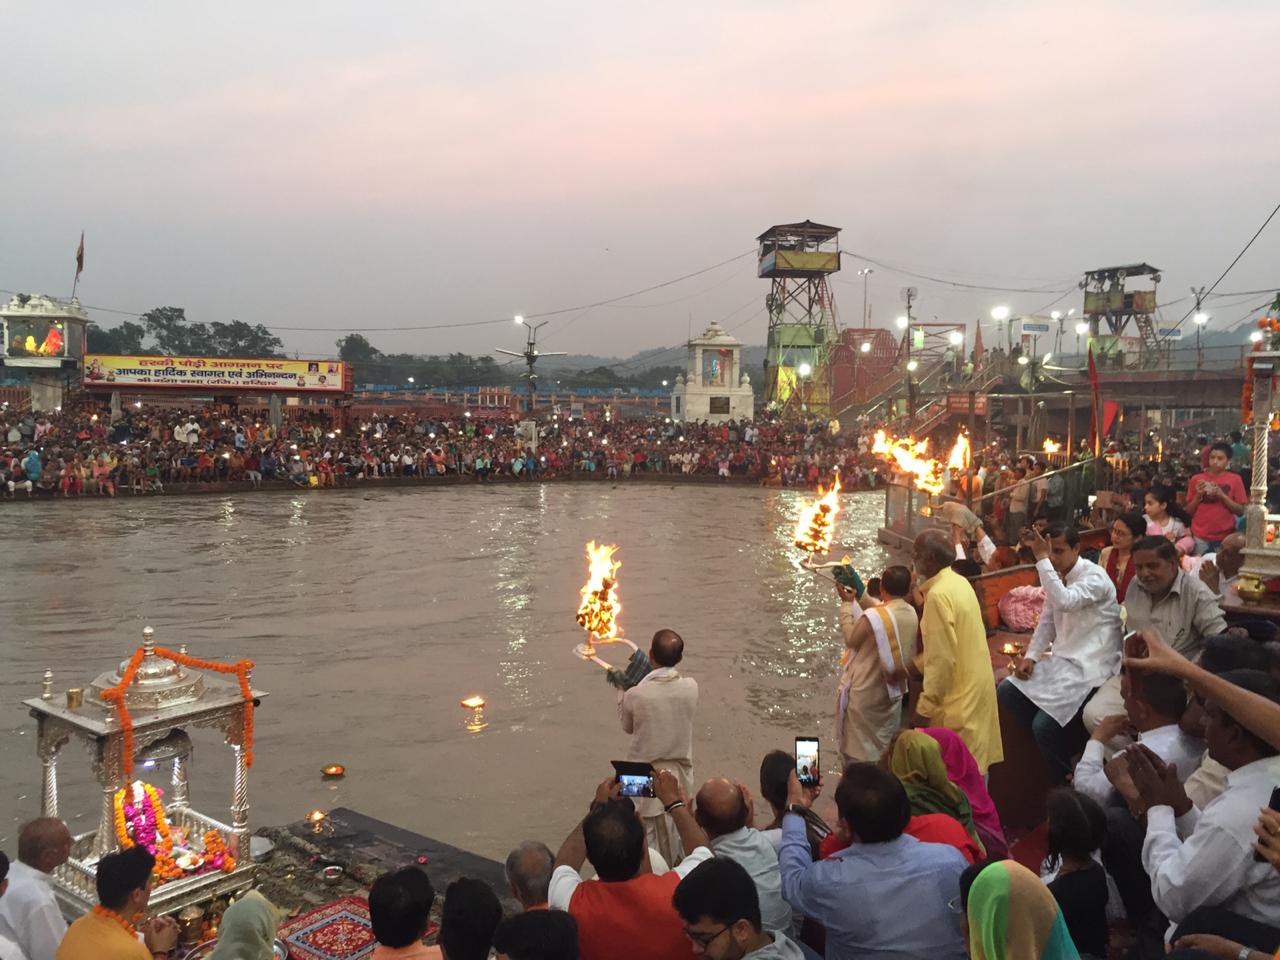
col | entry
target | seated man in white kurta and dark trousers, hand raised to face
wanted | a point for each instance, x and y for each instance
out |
(1075, 651)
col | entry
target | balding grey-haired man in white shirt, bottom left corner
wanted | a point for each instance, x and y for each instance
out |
(29, 912)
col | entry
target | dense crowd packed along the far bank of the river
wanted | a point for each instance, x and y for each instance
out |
(152, 450)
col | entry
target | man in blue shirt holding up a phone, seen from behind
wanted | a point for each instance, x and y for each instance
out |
(886, 897)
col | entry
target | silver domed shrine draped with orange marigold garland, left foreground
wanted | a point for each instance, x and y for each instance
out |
(163, 701)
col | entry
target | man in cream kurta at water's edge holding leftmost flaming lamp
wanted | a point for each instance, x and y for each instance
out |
(659, 714)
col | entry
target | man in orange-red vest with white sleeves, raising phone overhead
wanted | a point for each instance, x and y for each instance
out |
(627, 912)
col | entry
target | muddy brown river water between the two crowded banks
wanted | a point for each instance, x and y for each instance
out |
(371, 614)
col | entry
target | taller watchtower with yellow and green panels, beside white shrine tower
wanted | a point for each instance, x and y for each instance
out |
(798, 259)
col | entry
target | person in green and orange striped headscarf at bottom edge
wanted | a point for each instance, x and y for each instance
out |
(1012, 916)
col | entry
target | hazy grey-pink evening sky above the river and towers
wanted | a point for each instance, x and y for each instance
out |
(373, 166)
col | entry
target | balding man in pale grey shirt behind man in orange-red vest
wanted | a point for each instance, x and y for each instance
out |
(725, 811)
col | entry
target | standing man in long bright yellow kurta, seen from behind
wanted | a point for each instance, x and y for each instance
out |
(959, 687)
